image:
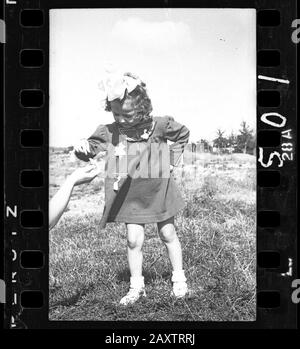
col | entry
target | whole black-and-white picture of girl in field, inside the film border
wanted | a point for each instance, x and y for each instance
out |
(152, 164)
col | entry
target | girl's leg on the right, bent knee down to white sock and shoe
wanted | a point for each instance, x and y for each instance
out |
(168, 235)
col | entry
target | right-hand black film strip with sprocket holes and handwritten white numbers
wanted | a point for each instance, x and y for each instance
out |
(276, 176)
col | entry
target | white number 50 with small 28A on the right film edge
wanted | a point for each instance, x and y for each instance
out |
(287, 147)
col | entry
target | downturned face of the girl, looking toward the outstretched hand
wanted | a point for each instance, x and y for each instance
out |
(124, 112)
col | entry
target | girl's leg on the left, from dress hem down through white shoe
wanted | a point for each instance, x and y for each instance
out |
(135, 240)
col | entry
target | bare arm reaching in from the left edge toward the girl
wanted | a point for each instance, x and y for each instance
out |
(60, 200)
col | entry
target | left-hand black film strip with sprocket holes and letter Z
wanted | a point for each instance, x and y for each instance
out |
(26, 159)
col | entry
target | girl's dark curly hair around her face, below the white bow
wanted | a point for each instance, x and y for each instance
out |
(143, 104)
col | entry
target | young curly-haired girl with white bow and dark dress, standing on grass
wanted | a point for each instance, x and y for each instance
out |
(139, 184)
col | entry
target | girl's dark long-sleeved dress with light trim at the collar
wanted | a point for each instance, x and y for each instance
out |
(140, 200)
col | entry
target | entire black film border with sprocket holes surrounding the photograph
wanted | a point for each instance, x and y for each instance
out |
(26, 159)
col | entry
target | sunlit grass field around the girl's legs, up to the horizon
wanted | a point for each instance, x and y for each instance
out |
(88, 267)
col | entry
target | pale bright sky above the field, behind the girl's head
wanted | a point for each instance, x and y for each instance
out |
(199, 66)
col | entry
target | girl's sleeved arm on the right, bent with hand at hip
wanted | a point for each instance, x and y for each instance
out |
(179, 134)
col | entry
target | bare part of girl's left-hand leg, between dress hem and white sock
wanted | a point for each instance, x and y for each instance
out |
(135, 240)
